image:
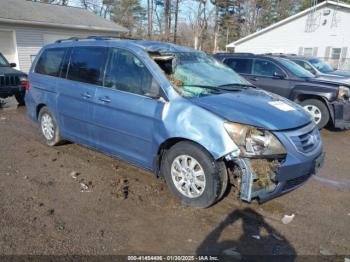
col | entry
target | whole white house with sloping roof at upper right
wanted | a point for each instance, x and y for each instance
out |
(322, 31)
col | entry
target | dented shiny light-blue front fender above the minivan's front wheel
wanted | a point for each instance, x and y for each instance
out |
(183, 119)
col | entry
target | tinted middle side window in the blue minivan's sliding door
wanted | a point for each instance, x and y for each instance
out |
(87, 64)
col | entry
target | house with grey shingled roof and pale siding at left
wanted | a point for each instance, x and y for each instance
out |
(26, 26)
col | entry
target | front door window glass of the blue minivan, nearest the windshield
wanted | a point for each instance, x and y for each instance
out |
(127, 73)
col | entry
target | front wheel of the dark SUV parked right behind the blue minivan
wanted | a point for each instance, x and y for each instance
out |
(318, 110)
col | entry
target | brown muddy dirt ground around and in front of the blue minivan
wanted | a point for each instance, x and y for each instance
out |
(72, 200)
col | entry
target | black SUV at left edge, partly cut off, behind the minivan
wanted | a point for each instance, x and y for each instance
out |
(12, 81)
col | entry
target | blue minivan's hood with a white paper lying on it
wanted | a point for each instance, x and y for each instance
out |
(257, 108)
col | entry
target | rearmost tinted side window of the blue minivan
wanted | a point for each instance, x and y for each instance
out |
(50, 62)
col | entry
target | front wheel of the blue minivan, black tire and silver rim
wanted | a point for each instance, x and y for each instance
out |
(202, 190)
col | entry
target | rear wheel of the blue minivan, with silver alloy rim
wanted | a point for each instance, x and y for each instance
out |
(49, 128)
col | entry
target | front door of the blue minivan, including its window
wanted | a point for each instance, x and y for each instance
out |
(125, 115)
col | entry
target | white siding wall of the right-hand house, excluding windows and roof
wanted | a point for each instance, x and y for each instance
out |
(293, 38)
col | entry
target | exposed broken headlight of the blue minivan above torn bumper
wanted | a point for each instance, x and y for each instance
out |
(253, 141)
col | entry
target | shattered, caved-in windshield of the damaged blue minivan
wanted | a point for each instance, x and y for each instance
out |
(197, 74)
